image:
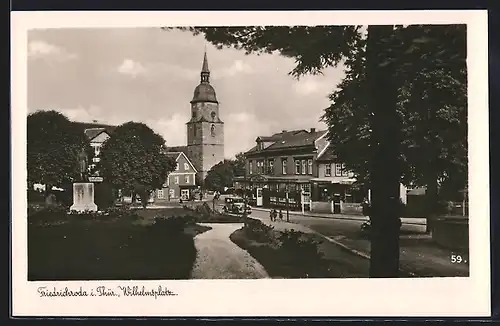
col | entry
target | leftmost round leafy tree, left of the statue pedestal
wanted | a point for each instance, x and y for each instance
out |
(55, 147)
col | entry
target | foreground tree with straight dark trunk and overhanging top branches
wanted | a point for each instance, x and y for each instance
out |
(317, 47)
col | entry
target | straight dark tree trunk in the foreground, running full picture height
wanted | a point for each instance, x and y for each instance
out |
(385, 170)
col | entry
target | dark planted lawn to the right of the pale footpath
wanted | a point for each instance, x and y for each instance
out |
(287, 254)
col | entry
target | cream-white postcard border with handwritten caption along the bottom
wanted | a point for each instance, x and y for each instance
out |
(332, 297)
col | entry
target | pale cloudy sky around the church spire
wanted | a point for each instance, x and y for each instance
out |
(148, 75)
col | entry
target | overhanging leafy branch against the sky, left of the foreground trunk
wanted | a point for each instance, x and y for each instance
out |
(312, 47)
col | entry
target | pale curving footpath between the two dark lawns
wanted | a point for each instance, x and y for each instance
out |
(219, 258)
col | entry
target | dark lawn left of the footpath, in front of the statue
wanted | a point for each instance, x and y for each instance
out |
(112, 247)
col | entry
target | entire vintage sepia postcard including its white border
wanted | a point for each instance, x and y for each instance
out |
(315, 163)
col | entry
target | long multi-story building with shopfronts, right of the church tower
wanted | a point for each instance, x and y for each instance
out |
(296, 167)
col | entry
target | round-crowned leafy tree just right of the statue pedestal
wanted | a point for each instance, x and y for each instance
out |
(134, 160)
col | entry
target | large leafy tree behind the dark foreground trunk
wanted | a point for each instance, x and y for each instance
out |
(431, 102)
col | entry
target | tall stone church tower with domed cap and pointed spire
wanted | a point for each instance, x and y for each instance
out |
(205, 130)
